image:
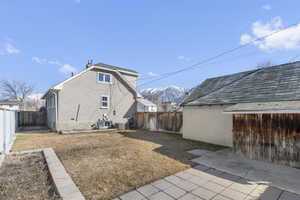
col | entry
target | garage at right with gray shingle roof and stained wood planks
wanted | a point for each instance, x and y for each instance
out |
(257, 112)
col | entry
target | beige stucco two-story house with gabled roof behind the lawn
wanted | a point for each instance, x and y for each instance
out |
(98, 97)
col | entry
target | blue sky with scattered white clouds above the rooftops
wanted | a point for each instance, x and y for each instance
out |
(43, 41)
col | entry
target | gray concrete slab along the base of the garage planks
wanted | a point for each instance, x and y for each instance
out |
(279, 176)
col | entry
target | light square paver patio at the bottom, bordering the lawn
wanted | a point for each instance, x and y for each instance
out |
(204, 183)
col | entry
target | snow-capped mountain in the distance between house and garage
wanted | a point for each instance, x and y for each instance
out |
(171, 93)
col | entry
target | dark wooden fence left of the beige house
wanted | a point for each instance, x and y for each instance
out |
(32, 118)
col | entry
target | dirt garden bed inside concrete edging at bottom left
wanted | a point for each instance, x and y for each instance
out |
(26, 177)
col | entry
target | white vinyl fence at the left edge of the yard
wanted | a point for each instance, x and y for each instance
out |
(7, 130)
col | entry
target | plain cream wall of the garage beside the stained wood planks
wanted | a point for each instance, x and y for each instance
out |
(208, 124)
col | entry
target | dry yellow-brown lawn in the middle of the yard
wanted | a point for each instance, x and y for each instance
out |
(105, 165)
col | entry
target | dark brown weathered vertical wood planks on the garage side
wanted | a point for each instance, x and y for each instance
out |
(268, 137)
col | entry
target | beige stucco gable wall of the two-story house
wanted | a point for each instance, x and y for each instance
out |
(80, 102)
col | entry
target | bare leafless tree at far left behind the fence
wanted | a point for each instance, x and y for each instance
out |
(15, 90)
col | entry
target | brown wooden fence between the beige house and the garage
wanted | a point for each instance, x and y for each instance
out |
(159, 121)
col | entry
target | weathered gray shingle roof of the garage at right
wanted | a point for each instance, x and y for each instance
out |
(277, 83)
